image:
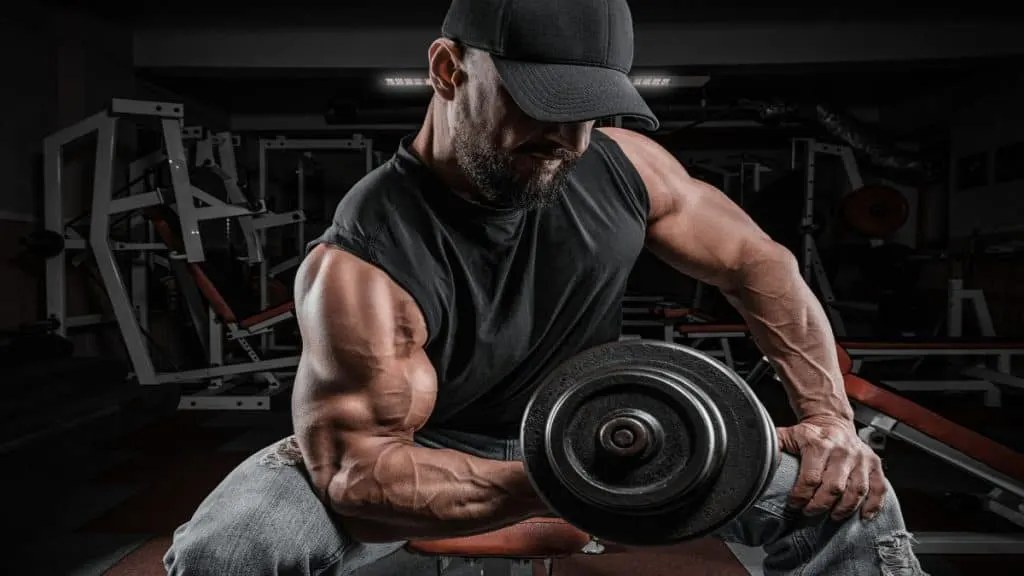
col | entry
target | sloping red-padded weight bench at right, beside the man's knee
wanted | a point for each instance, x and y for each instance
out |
(885, 415)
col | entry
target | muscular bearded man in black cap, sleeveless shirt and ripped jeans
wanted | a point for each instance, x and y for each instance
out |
(494, 245)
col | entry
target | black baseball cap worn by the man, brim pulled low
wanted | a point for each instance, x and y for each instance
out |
(562, 61)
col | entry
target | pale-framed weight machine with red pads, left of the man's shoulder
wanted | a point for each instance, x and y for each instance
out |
(182, 249)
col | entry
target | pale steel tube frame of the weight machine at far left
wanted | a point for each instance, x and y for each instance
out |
(127, 313)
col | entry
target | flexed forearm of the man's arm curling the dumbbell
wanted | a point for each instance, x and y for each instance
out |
(414, 492)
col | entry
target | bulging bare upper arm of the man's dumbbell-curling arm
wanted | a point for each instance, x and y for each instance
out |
(364, 380)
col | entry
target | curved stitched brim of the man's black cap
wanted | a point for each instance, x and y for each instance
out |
(560, 93)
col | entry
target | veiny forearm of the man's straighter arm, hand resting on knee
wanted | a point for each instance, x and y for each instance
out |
(792, 330)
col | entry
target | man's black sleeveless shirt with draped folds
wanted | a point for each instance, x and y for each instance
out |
(507, 296)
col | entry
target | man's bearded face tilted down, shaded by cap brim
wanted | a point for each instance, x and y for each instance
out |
(514, 160)
